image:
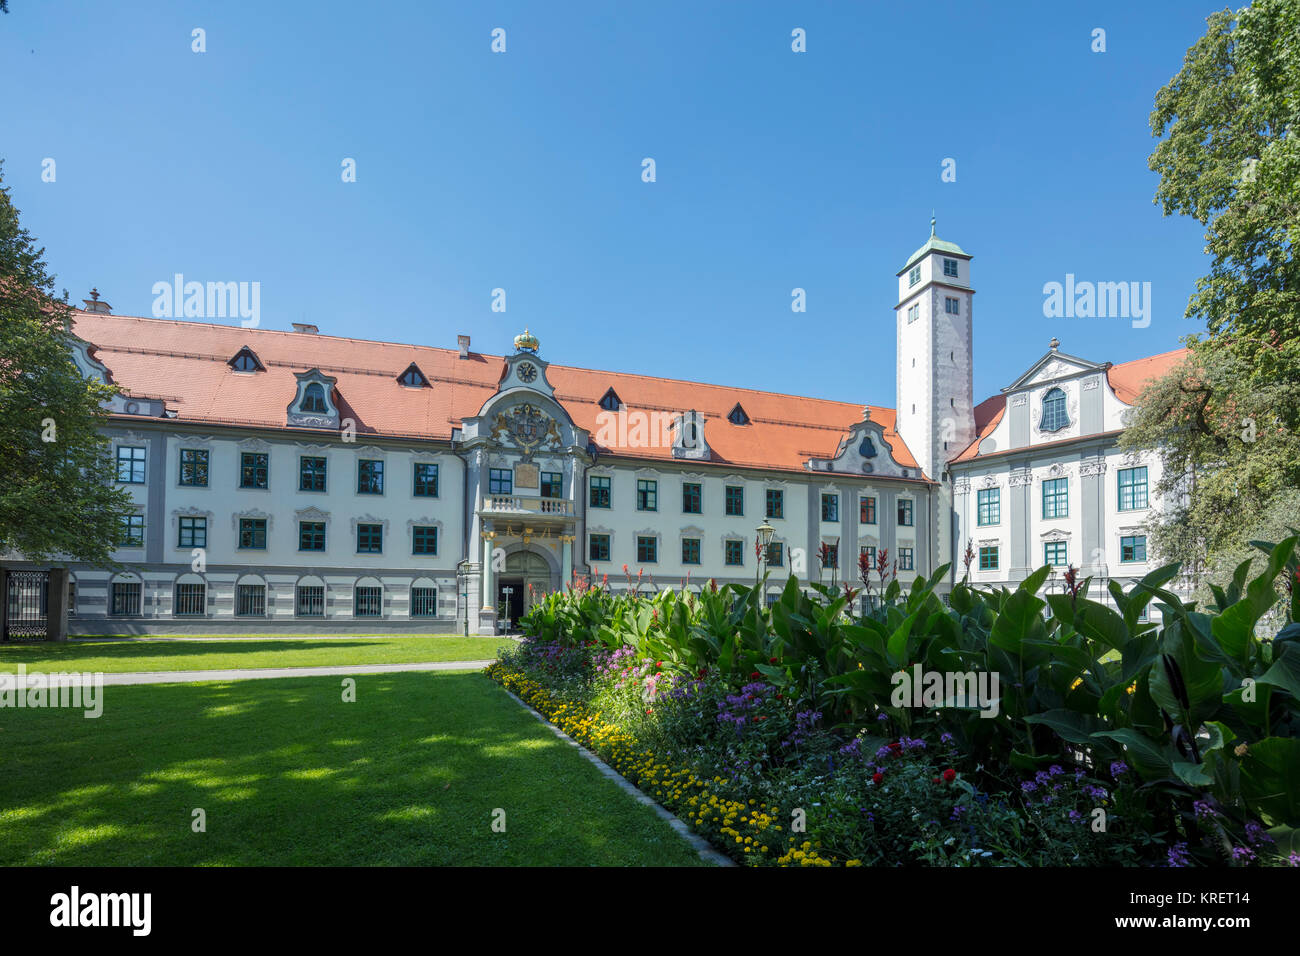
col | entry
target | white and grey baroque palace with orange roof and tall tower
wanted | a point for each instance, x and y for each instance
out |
(298, 482)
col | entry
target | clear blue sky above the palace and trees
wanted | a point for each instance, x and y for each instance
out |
(522, 171)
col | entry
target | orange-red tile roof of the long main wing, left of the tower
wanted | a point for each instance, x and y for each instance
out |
(185, 365)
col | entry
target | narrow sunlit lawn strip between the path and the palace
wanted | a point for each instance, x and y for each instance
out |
(211, 654)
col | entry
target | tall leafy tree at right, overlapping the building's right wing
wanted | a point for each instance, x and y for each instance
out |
(1228, 422)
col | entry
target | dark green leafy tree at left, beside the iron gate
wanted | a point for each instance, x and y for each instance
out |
(58, 498)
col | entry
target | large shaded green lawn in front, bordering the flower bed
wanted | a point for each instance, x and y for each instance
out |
(289, 775)
